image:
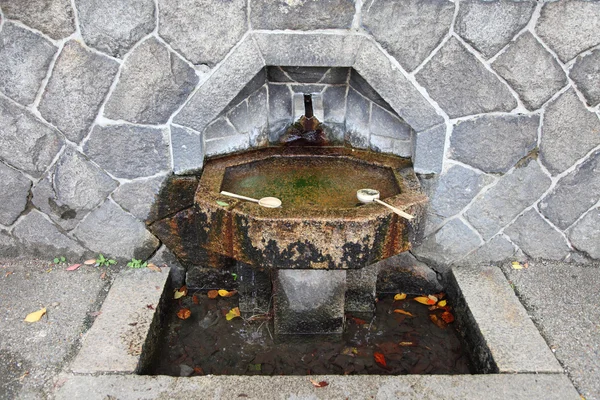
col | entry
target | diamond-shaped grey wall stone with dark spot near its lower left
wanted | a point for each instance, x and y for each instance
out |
(71, 189)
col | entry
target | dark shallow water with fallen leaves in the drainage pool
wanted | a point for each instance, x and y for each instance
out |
(388, 343)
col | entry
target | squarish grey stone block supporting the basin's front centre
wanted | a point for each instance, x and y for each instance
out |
(309, 301)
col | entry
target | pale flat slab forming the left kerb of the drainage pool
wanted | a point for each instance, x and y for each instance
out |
(114, 343)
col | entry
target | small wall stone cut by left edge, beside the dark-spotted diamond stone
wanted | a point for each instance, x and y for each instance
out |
(13, 196)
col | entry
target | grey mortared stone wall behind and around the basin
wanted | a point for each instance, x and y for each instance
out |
(101, 101)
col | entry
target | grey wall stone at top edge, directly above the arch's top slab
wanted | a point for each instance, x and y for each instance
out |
(302, 14)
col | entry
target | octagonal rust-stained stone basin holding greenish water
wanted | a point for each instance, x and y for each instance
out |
(320, 223)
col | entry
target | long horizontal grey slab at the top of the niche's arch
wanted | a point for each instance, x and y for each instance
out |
(308, 50)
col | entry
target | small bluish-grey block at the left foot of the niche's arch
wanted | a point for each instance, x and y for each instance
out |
(187, 147)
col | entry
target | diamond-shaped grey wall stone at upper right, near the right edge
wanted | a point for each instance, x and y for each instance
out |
(530, 70)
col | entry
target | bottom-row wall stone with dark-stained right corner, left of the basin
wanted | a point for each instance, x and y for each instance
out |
(110, 230)
